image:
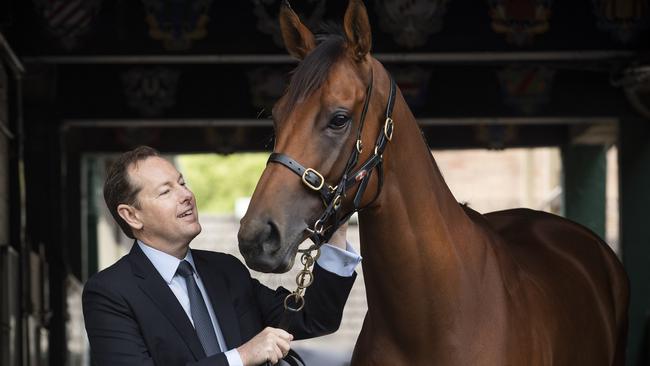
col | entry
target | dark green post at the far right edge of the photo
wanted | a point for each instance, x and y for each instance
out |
(634, 170)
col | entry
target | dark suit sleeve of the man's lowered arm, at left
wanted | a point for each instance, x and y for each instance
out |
(114, 334)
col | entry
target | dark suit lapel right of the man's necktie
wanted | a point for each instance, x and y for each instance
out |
(217, 290)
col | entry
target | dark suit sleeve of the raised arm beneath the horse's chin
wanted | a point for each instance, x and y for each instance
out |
(323, 310)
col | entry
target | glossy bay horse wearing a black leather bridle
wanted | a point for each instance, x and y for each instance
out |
(445, 285)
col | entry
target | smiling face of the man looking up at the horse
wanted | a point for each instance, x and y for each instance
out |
(167, 208)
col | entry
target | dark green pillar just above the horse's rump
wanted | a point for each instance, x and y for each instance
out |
(585, 170)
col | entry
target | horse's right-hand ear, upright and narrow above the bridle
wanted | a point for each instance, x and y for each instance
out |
(357, 29)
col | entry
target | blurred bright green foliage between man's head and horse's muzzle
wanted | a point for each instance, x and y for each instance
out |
(218, 180)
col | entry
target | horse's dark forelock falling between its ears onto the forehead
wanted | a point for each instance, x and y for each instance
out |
(310, 74)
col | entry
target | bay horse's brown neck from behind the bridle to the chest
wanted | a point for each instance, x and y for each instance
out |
(418, 241)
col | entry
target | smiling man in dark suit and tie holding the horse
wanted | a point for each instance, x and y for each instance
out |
(164, 304)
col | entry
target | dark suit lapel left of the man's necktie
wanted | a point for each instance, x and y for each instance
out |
(152, 284)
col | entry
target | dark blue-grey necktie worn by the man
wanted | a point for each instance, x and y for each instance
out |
(199, 311)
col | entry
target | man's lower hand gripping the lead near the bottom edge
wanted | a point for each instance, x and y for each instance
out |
(271, 344)
